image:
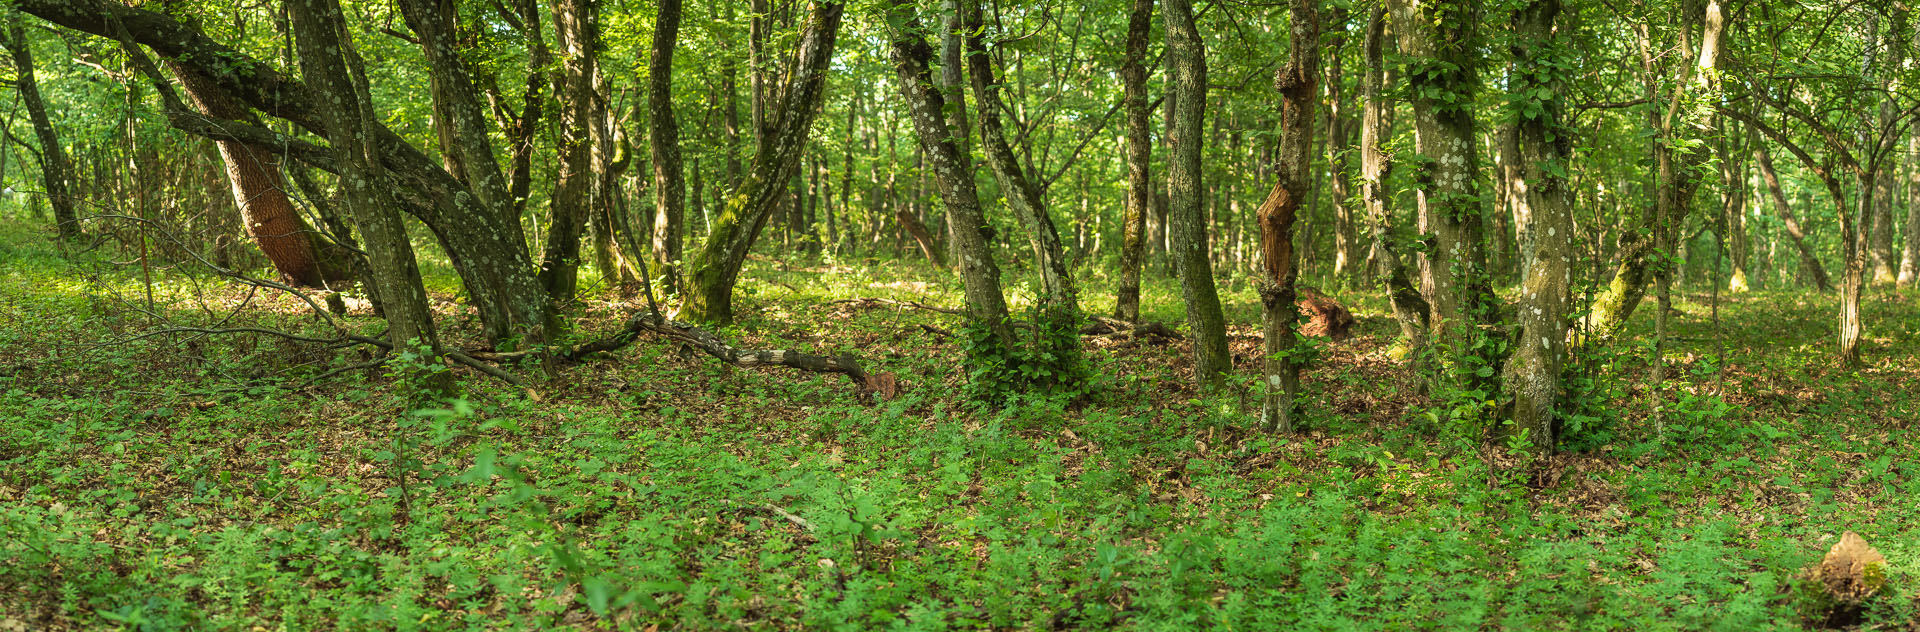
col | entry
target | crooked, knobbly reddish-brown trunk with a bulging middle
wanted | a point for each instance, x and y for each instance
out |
(1291, 185)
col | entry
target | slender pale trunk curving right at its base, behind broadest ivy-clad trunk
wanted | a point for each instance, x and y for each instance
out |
(1410, 310)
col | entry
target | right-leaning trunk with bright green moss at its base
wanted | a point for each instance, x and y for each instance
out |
(715, 268)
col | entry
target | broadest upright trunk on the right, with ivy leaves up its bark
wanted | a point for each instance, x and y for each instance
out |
(1443, 74)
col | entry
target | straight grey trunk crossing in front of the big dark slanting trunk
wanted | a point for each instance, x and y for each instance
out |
(333, 66)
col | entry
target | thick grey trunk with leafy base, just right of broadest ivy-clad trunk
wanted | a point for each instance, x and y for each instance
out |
(1543, 203)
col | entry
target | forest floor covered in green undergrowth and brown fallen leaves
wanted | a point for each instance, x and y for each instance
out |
(210, 483)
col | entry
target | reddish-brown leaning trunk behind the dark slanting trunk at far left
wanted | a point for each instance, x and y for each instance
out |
(260, 193)
